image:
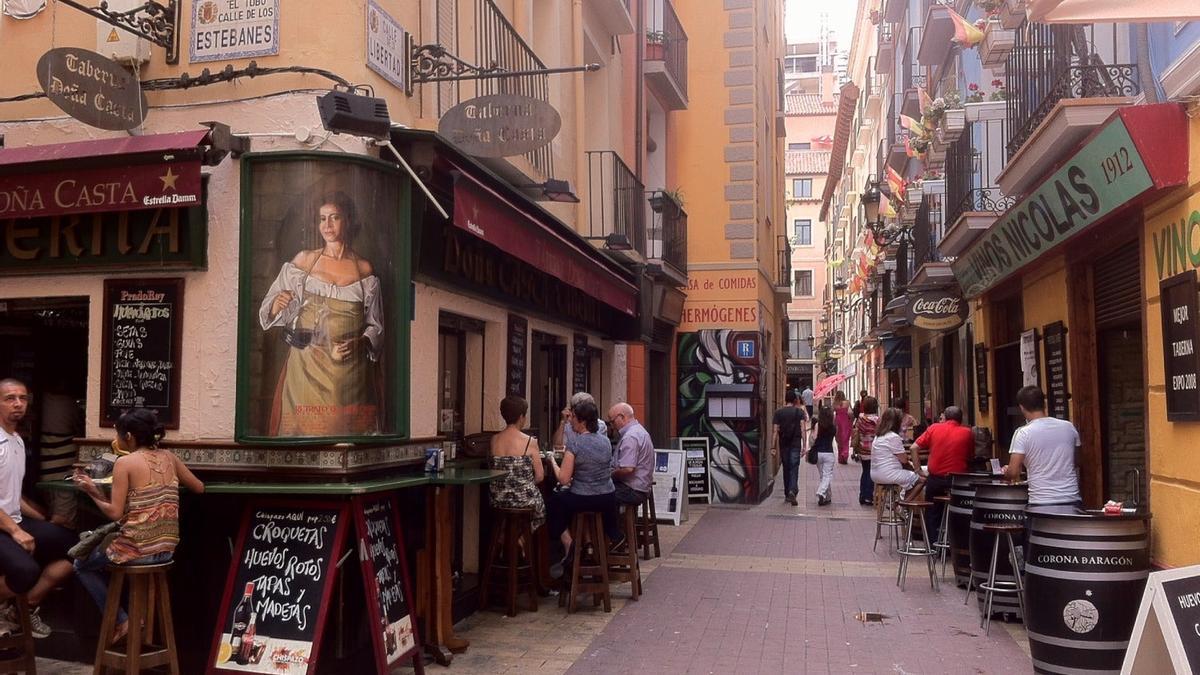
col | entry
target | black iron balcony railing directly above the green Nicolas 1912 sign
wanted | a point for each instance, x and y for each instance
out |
(1052, 63)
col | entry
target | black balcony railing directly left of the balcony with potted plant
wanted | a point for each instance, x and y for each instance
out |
(615, 200)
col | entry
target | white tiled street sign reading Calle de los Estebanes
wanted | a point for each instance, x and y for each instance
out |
(235, 29)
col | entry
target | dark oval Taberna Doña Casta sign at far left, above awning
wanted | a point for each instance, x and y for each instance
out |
(92, 88)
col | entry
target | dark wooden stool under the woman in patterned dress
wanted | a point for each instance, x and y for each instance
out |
(514, 554)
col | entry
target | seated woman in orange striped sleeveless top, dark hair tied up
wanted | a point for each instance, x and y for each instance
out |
(145, 501)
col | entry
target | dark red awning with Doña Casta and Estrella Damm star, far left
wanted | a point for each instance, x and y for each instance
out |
(111, 175)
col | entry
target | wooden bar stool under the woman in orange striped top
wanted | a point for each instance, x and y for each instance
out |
(149, 604)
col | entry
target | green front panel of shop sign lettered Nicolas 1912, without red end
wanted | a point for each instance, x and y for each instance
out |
(1100, 178)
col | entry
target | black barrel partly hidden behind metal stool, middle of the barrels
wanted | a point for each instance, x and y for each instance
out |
(997, 503)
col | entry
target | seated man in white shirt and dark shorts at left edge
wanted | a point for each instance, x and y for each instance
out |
(33, 552)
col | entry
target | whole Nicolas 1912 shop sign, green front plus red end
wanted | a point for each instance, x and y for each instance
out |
(1139, 148)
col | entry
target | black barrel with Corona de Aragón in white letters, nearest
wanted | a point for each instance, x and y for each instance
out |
(1084, 580)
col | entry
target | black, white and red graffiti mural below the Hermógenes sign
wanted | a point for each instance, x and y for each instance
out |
(711, 357)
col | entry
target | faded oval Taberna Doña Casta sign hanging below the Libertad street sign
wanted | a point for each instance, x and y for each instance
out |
(501, 126)
